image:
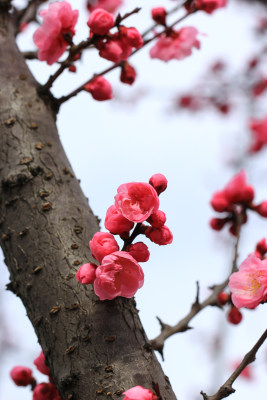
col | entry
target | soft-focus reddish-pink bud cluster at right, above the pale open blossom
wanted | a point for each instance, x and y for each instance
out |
(234, 200)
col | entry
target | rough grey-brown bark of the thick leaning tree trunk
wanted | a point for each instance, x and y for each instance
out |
(94, 349)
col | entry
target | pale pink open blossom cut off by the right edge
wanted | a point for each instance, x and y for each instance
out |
(249, 284)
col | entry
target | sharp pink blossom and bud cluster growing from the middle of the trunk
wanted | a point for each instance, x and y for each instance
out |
(119, 272)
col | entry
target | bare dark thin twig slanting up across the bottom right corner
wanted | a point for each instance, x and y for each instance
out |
(227, 388)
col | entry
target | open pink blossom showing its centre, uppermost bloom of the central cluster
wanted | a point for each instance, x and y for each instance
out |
(136, 201)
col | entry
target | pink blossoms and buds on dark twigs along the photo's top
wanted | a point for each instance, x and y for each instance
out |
(114, 41)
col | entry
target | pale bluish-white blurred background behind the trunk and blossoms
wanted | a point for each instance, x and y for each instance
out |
(188, 120)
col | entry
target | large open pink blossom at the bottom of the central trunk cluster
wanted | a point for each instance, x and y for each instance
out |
(118, 275)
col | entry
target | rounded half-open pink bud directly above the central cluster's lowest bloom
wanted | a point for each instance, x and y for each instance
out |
(102, 244)
